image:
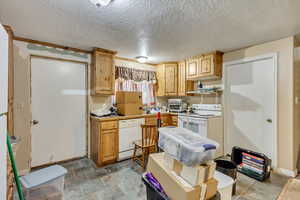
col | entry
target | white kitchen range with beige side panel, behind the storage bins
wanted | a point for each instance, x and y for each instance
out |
(207, 121)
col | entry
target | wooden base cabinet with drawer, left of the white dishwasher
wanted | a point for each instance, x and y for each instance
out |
(104, 141)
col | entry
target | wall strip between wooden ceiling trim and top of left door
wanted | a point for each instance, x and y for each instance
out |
(31, 46)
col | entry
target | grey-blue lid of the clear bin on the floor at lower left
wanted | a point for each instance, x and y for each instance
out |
(42, 176)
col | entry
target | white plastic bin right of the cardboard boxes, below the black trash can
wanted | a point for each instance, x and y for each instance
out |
(225, 184)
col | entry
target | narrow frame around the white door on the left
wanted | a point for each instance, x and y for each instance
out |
(31, 56)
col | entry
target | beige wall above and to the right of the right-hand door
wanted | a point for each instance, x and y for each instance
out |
(284, 48)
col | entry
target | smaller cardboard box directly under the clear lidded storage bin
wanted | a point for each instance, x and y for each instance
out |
(193, 175)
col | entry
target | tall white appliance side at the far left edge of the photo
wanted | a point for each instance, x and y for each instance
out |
(3, 108)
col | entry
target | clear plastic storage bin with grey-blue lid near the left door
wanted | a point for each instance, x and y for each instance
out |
(44, 184)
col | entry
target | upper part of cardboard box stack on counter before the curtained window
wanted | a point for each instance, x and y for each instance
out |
(123, 97)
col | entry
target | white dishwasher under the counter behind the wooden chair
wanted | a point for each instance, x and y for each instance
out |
(129, 131)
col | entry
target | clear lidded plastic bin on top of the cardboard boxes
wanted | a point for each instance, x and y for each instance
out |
(186, 146)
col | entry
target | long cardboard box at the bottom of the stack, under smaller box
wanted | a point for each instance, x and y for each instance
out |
(176, 187)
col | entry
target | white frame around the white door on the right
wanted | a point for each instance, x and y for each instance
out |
(274, 57)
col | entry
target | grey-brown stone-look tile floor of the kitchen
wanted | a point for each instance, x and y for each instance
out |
(122, 181)
